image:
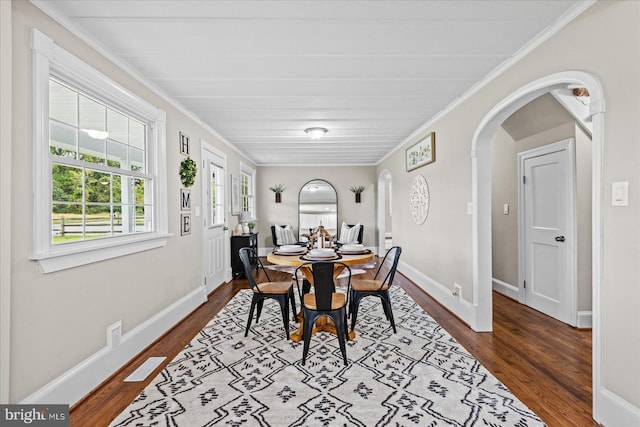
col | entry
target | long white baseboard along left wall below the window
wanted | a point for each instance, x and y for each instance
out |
(80, 380)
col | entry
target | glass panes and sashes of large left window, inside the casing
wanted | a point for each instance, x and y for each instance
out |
(99, 172)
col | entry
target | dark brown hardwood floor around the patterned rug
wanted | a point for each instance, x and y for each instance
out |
(545, 363)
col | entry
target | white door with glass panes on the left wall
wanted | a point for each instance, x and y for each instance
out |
(215, 258)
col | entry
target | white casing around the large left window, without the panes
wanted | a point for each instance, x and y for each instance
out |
(50, 59)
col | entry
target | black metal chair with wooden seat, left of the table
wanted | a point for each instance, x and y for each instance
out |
(279, 291)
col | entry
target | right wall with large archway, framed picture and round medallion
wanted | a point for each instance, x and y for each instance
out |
(605, 40)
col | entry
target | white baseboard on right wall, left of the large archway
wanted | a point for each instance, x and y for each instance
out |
(461, 308)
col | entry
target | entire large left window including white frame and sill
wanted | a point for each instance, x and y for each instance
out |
(99, 184)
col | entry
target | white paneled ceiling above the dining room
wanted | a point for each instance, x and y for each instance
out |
(260, 72)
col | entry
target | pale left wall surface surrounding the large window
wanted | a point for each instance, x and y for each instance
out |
(59, 320)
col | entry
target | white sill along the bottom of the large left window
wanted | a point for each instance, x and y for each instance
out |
(62, 260)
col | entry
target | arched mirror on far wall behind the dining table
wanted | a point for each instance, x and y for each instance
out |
(317, 204)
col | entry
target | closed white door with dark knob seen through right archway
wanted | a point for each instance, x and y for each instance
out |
(549, 222)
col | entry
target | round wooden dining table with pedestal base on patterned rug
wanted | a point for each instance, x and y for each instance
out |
(323, 323)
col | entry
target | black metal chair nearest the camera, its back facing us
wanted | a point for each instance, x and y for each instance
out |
(324, 301)
